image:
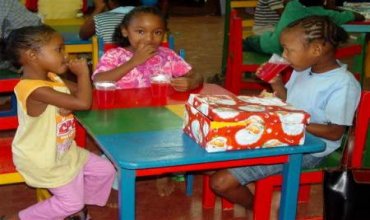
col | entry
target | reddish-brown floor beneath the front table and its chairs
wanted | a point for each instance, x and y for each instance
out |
(149, 204)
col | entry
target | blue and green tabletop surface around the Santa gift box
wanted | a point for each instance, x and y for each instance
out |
(141, 138)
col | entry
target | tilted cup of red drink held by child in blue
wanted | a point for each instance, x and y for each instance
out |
(272, 68)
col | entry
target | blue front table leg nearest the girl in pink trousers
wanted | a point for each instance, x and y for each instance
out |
(126, 198)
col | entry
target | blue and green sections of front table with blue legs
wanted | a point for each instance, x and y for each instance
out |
(149, 141)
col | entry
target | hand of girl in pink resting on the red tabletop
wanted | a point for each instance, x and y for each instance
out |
(187, 82)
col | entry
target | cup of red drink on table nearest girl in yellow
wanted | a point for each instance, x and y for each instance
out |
(105, 94)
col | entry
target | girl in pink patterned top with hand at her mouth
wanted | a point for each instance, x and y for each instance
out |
(140, 55)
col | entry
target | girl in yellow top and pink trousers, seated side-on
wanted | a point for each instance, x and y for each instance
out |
(44, 150)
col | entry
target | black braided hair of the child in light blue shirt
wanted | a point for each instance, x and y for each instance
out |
(321, 28)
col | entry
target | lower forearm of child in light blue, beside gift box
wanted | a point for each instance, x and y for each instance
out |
(328, 131)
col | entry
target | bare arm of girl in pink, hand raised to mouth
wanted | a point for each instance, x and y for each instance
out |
(142, 54)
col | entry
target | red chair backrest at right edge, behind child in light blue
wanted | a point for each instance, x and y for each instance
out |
(361, 151)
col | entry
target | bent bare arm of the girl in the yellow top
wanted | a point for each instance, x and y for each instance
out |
(79, 100)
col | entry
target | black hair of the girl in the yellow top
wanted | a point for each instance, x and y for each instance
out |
(30, 37)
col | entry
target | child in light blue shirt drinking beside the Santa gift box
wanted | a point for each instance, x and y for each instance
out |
(319, 84)
